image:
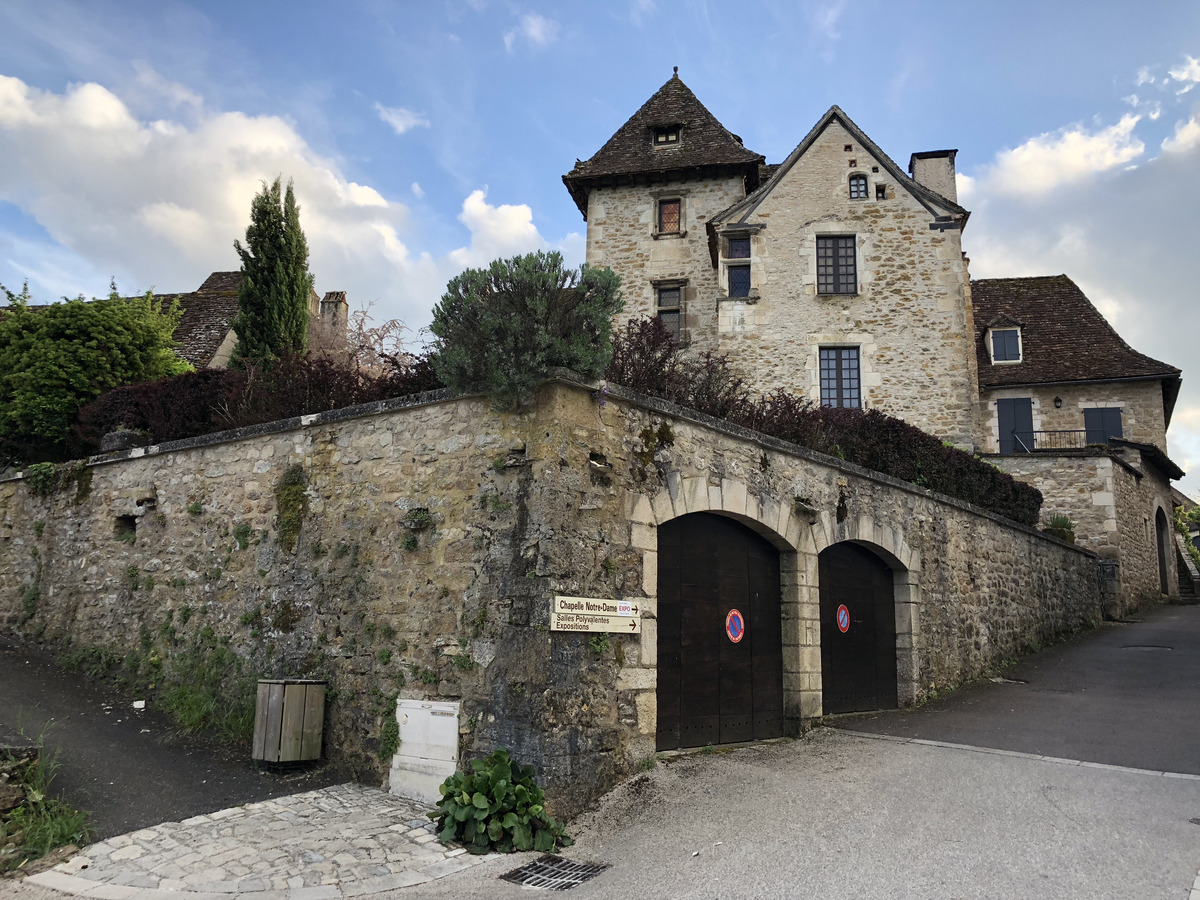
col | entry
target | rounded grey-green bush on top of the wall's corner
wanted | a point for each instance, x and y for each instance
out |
(506, 327)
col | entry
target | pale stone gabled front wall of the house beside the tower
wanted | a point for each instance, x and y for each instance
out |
(911, 317)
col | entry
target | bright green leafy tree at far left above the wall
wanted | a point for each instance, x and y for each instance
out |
(55, 359)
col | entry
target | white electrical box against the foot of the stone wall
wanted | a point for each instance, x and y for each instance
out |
(429, 748)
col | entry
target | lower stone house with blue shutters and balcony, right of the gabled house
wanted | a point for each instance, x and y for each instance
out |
(1072, 409)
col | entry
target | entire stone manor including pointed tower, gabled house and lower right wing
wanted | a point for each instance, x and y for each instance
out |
(843, 278)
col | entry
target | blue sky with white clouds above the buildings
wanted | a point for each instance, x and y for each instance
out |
(428, 137)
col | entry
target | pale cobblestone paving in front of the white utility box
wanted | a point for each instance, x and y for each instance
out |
(340, 842)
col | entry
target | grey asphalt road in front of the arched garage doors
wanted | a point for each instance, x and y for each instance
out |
(871, 815)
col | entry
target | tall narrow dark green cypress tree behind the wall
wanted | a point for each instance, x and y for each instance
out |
(273, 301)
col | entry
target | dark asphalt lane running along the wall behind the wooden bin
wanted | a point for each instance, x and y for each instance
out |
(128, 767)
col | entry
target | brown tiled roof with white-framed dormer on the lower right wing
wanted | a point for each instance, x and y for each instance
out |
(1064, 338)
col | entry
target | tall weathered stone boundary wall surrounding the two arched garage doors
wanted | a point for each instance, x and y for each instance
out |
(413, 548)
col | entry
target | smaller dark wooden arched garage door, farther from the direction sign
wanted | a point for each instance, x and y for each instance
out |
(859, 632)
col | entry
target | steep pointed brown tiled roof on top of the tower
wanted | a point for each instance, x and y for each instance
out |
(704, 143)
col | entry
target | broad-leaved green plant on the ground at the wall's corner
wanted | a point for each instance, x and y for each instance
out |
(497, 807)
